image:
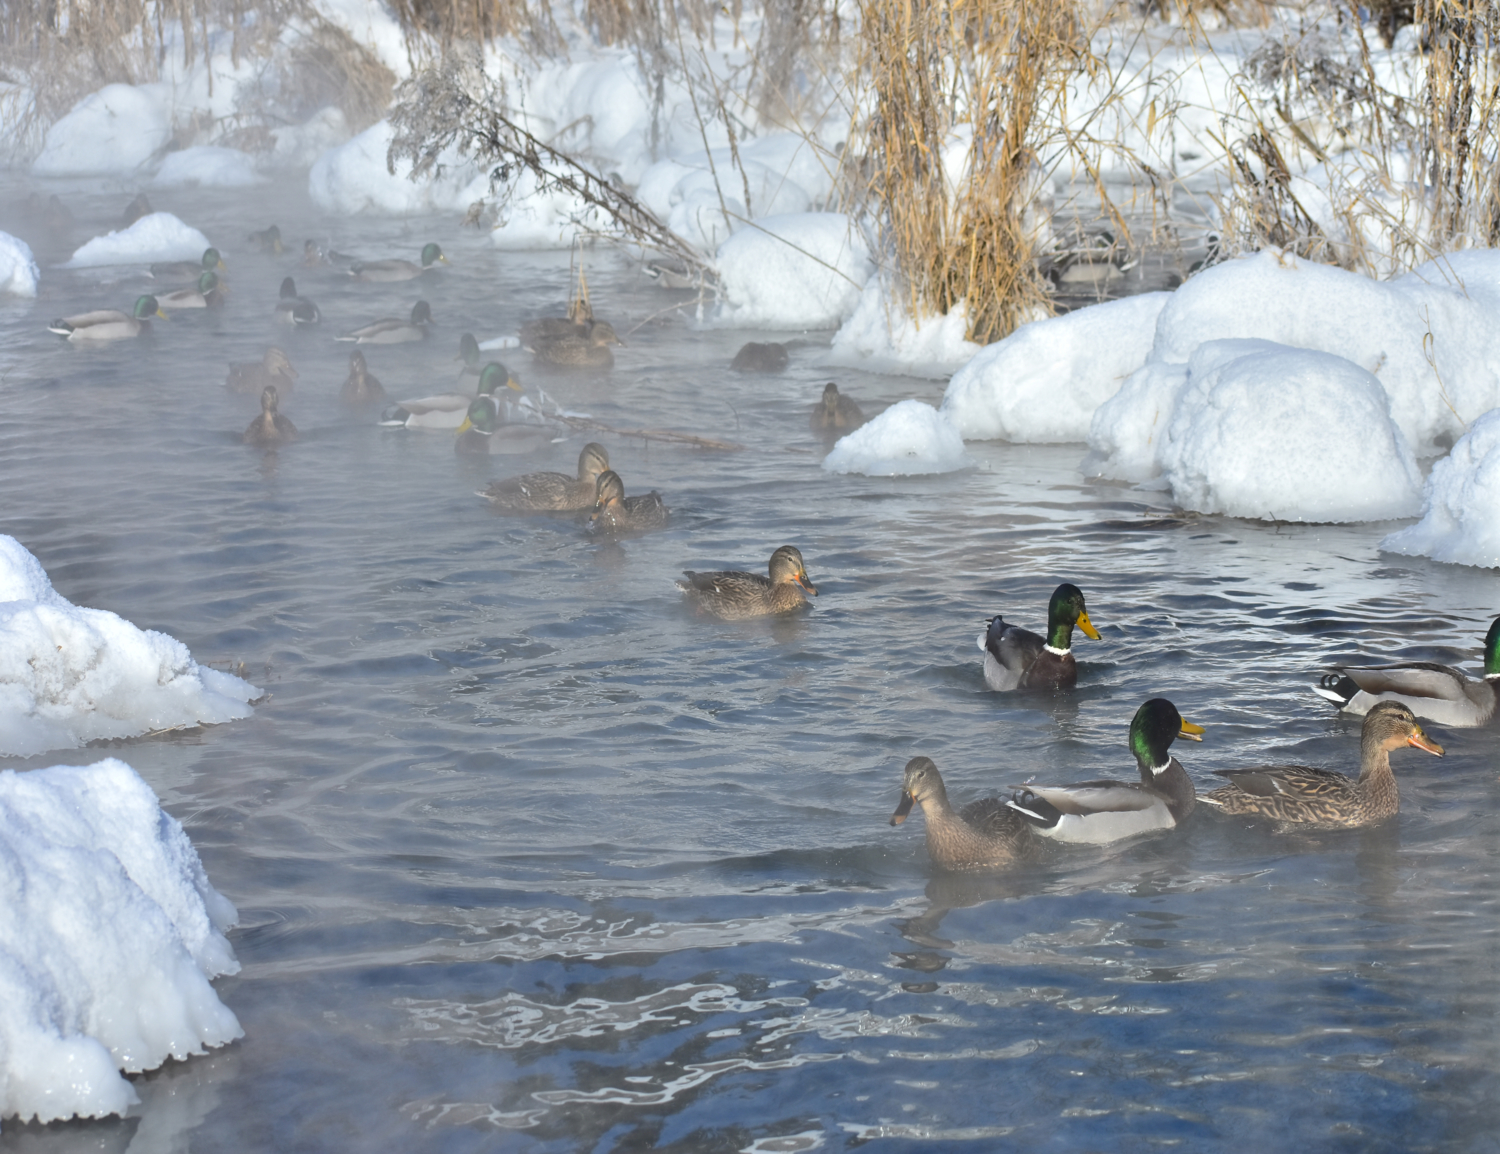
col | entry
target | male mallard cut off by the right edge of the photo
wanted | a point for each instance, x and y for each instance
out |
(1438, 693)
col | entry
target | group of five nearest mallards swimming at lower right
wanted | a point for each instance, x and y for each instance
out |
(1001, 831)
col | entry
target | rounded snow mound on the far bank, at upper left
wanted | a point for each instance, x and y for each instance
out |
(116, 131)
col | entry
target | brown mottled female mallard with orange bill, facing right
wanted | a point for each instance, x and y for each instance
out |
(1322, 799)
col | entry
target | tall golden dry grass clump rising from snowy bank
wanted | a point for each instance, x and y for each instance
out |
(964, 91)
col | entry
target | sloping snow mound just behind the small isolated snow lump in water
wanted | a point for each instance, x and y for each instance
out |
(1045, 382)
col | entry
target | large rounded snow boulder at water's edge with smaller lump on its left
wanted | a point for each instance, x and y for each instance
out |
(1259, 430)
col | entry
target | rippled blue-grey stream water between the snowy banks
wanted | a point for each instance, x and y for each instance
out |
(530, 859)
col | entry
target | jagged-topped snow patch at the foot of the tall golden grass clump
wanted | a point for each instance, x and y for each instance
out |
(883, 337)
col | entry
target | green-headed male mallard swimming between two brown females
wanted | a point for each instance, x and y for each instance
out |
(1102, 813)
